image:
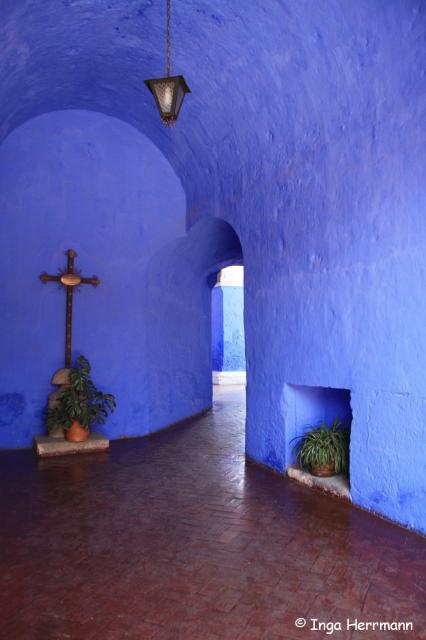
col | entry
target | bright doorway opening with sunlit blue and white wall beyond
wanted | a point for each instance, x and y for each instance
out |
(228, 338)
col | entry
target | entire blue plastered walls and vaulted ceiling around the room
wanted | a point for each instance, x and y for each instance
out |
(304, 131)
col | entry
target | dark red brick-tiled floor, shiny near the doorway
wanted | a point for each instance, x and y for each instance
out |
(176, 536)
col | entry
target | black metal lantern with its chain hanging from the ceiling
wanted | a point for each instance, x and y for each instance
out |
(169, 91)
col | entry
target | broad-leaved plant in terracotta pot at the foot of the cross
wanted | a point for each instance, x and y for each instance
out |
(79, 405)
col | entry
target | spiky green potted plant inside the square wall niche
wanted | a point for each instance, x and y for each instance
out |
(324, 450)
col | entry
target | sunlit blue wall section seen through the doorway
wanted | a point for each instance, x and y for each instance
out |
(228, 345)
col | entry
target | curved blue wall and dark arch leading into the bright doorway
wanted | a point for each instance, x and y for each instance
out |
(179, 341)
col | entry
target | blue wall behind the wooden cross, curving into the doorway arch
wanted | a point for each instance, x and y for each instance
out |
(93, 183)
